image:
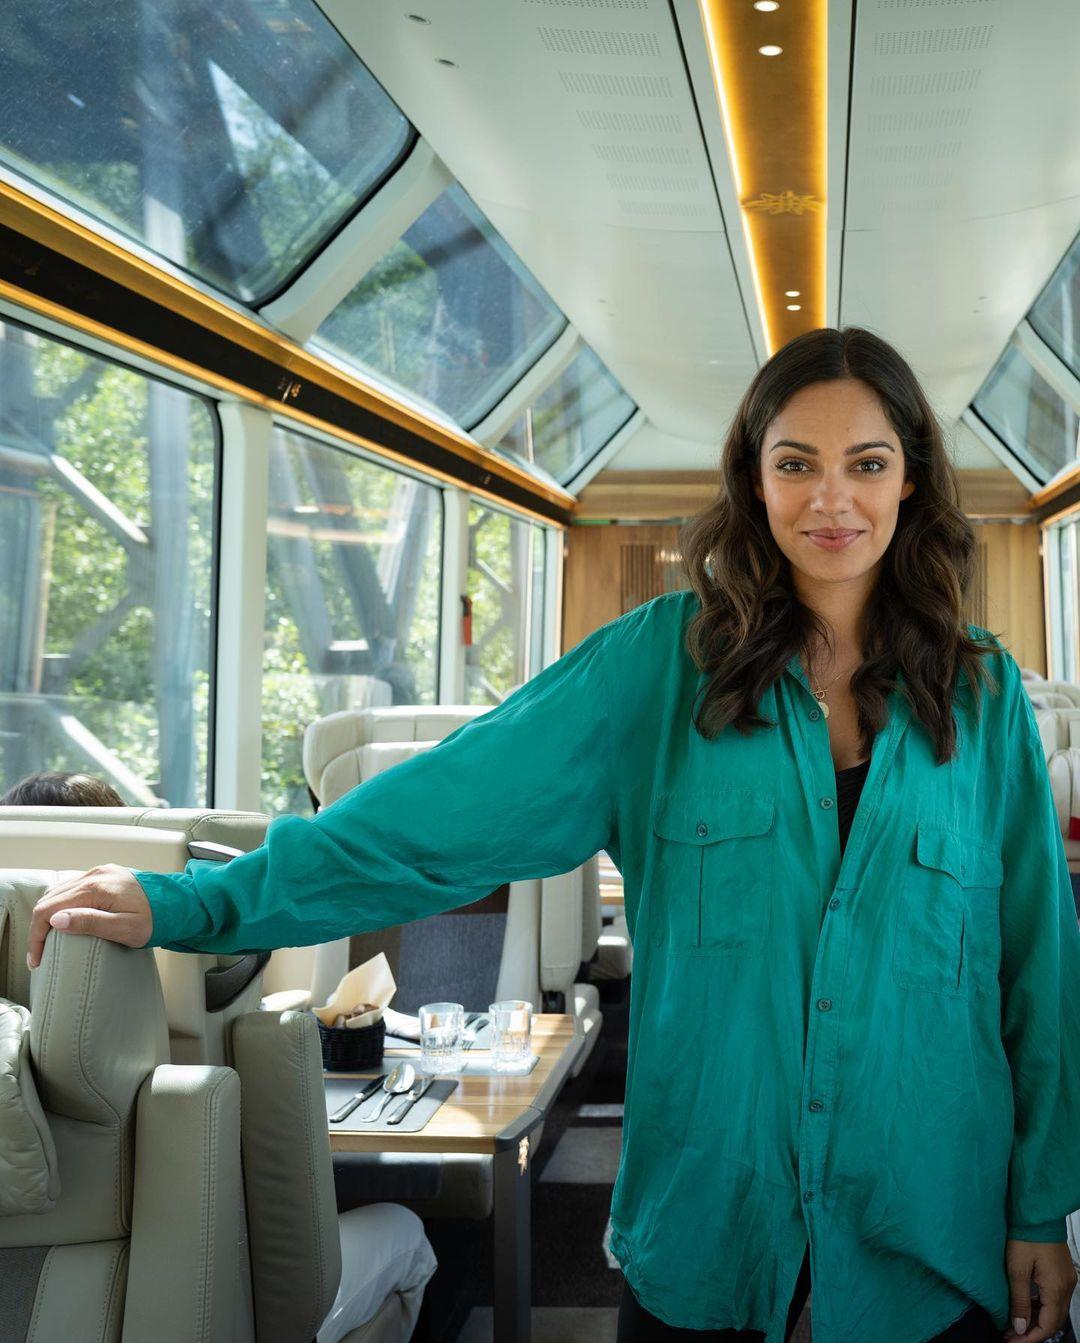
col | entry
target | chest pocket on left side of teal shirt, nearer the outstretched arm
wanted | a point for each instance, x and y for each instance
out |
(714, 871)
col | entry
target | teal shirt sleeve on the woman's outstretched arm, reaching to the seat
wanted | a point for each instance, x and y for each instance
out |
(522, 792)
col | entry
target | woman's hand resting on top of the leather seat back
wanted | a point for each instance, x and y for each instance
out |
(105, 903)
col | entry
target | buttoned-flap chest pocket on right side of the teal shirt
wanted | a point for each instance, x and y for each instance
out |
(948, 931)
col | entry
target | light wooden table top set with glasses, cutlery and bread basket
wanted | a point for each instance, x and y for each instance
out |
(480, 1109)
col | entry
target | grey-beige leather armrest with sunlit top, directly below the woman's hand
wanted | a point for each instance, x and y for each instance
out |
(189, 1278)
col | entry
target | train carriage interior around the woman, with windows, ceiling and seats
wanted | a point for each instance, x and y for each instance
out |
(358, 361)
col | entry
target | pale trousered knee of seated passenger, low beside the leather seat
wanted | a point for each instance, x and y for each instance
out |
(384, 1250)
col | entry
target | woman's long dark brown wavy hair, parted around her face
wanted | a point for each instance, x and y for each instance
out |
(752, 622)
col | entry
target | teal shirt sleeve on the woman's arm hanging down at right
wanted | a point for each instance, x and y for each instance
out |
(1040, 981)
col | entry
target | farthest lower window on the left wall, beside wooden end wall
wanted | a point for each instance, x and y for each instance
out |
(506, 584)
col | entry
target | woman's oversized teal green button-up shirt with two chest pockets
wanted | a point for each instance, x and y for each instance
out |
(879, 1055)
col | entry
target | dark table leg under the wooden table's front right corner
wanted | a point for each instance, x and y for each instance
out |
(512, 1178)
